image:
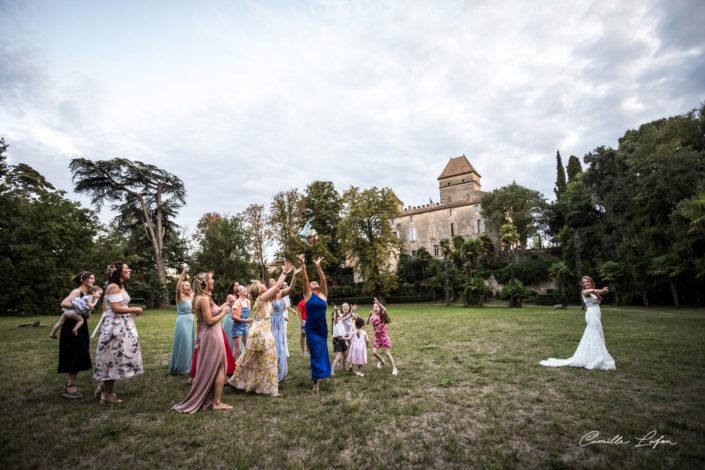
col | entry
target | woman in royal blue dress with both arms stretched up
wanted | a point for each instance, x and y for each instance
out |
(315, 295)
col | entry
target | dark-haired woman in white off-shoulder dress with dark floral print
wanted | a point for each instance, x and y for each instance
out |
(118, 355)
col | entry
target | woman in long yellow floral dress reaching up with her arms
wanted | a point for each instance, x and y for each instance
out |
(257, 368)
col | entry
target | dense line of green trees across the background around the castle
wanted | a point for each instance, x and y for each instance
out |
(632, 217)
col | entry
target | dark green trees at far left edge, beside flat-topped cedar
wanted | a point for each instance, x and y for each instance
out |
(44, 240)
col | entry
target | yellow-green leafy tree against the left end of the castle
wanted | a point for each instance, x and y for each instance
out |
(368, 238)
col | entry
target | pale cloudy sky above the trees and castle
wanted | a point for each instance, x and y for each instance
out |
(242, 99)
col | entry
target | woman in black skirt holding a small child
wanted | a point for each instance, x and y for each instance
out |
(74, 355)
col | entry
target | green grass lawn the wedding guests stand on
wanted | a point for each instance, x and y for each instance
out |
(469, 393)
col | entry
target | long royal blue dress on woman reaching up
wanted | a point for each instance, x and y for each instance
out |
(317, 337)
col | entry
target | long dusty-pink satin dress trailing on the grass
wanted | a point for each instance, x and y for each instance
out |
(211, 357)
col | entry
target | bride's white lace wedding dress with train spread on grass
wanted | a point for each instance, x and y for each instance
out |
(592, 351)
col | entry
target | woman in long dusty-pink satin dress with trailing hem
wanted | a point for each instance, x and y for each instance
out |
(207, 387)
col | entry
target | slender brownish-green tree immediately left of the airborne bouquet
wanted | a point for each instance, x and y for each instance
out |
(287, 218)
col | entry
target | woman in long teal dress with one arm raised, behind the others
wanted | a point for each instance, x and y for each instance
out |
(184, 337)
